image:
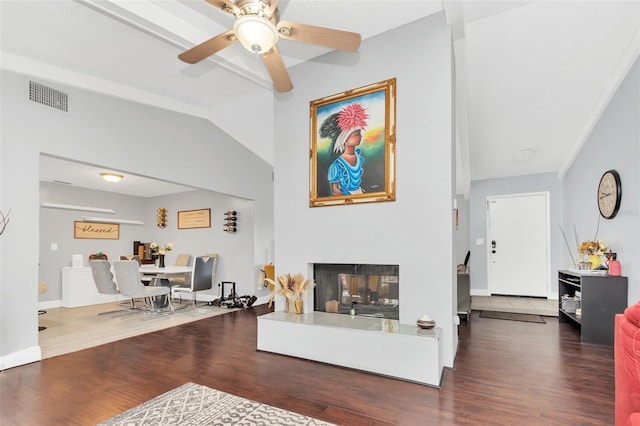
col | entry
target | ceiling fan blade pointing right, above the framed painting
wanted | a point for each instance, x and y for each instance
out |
(322, 36)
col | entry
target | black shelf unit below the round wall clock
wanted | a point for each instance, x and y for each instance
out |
(603, 297)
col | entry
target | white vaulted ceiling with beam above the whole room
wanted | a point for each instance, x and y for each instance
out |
(532, 77)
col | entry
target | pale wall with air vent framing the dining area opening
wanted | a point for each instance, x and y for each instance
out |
(111, 132)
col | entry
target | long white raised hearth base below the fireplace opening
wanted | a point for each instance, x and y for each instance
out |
(377, 345)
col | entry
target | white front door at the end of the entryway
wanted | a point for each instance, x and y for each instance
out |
(518, 244)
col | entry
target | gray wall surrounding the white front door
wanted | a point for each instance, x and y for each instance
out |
(478, 194)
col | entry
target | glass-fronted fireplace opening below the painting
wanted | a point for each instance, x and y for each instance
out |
(368, 289)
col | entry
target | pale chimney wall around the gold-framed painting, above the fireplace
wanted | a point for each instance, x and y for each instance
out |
(415, 231)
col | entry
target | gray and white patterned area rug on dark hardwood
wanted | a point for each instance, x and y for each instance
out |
(193, 404)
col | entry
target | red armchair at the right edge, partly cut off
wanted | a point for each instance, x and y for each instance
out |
(627, 366)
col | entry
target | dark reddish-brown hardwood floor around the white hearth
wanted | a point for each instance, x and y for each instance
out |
(506, 373)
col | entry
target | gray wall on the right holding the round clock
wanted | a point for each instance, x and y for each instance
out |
(613, 144)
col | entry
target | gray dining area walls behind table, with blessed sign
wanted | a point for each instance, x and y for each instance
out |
(56, 226)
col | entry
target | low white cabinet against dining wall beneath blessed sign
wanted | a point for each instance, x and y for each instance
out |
(78, 289)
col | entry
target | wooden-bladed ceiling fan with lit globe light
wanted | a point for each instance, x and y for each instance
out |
(258, 27)
